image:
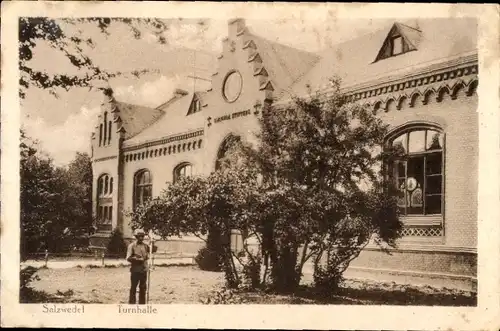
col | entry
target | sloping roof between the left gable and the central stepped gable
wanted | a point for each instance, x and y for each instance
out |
(174, 117)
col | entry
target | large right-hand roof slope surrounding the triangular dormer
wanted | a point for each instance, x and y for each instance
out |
(353, 61)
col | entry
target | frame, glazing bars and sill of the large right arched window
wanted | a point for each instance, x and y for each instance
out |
(419, 219)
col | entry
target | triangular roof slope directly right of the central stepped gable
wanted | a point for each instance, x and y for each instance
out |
(284, 64)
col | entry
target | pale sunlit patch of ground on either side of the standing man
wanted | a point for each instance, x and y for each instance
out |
(174, 284)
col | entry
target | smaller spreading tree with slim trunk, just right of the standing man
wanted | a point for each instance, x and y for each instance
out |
(197, 205)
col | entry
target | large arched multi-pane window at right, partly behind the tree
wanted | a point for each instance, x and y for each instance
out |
(417, 171)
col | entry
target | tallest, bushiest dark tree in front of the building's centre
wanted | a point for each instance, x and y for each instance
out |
(325, 186)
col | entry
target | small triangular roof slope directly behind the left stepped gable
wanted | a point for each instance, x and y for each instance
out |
(135, 119)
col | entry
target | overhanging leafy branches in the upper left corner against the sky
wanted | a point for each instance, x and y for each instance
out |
(75, 47)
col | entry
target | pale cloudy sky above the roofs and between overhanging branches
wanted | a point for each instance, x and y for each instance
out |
(63, 125)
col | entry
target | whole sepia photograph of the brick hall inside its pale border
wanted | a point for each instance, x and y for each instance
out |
(238, 160)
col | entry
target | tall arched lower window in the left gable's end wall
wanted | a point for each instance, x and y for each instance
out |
(104, 202)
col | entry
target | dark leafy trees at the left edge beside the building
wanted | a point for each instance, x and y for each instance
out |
(56, 212)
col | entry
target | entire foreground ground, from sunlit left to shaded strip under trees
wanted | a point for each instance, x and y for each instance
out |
(188, 284)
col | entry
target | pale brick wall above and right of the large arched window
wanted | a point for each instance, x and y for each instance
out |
(459, 120)
